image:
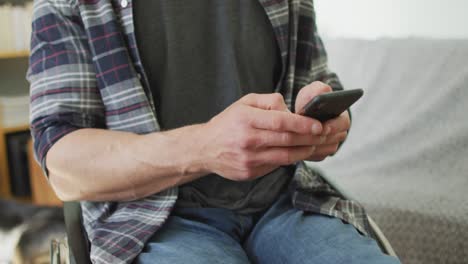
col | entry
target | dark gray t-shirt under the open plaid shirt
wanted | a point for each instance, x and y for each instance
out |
(200, 57)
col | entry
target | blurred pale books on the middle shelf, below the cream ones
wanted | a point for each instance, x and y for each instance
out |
(14, 110)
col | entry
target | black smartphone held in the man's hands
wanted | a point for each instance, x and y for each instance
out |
(330, 105)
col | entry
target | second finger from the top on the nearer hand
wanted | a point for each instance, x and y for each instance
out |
(266, 138)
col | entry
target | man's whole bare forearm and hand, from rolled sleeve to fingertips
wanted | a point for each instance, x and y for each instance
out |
(250, 138)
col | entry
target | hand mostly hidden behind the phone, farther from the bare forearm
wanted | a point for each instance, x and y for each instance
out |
(334, 130)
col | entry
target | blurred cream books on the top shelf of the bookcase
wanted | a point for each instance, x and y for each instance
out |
(15, 27)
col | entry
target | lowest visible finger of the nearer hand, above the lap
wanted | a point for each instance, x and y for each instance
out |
(284, 155)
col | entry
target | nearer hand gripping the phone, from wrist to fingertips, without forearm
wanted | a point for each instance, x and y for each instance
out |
(256, 135)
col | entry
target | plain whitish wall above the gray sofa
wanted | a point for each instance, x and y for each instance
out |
(393, 18)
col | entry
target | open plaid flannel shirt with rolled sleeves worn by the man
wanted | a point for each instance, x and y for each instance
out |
(85, 72)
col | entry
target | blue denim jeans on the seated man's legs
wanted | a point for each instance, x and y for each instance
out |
(281, 235)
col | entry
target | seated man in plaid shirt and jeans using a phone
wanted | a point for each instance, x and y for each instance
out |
(173, 123)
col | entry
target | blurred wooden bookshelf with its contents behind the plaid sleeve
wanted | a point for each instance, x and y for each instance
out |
(15, 26)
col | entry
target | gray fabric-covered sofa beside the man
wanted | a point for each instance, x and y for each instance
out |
(406, 157)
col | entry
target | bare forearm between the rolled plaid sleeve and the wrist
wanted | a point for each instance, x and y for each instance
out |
(104, 165)
